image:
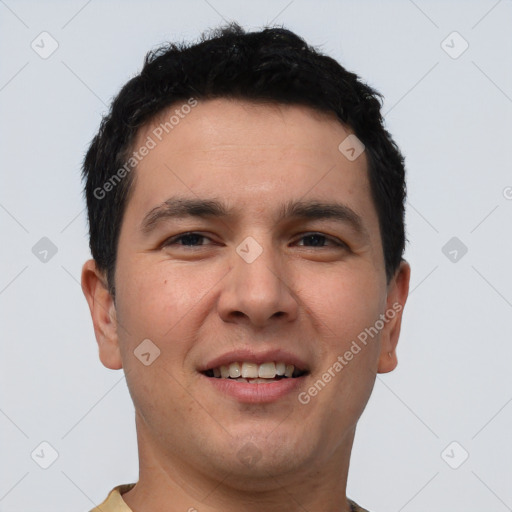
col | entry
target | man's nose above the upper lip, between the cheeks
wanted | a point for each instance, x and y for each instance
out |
(258, 293)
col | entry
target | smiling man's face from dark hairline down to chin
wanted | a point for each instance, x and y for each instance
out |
(252, 286)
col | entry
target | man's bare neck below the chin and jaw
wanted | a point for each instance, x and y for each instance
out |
(173, 484)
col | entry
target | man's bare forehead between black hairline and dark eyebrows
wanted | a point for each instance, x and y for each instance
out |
(256, 155)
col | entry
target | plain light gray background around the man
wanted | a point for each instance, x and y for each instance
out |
(451, 117)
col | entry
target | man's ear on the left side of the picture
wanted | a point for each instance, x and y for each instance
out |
(103, 313)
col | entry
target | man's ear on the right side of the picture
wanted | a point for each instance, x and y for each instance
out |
(398, 290)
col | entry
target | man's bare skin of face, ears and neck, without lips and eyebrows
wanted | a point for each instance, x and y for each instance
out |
(201, 301)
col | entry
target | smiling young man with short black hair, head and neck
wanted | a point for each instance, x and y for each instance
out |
(246, 211)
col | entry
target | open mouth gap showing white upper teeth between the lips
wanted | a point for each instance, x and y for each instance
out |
(255, 373)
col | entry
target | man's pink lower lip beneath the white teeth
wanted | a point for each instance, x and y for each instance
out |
(258, 392)
